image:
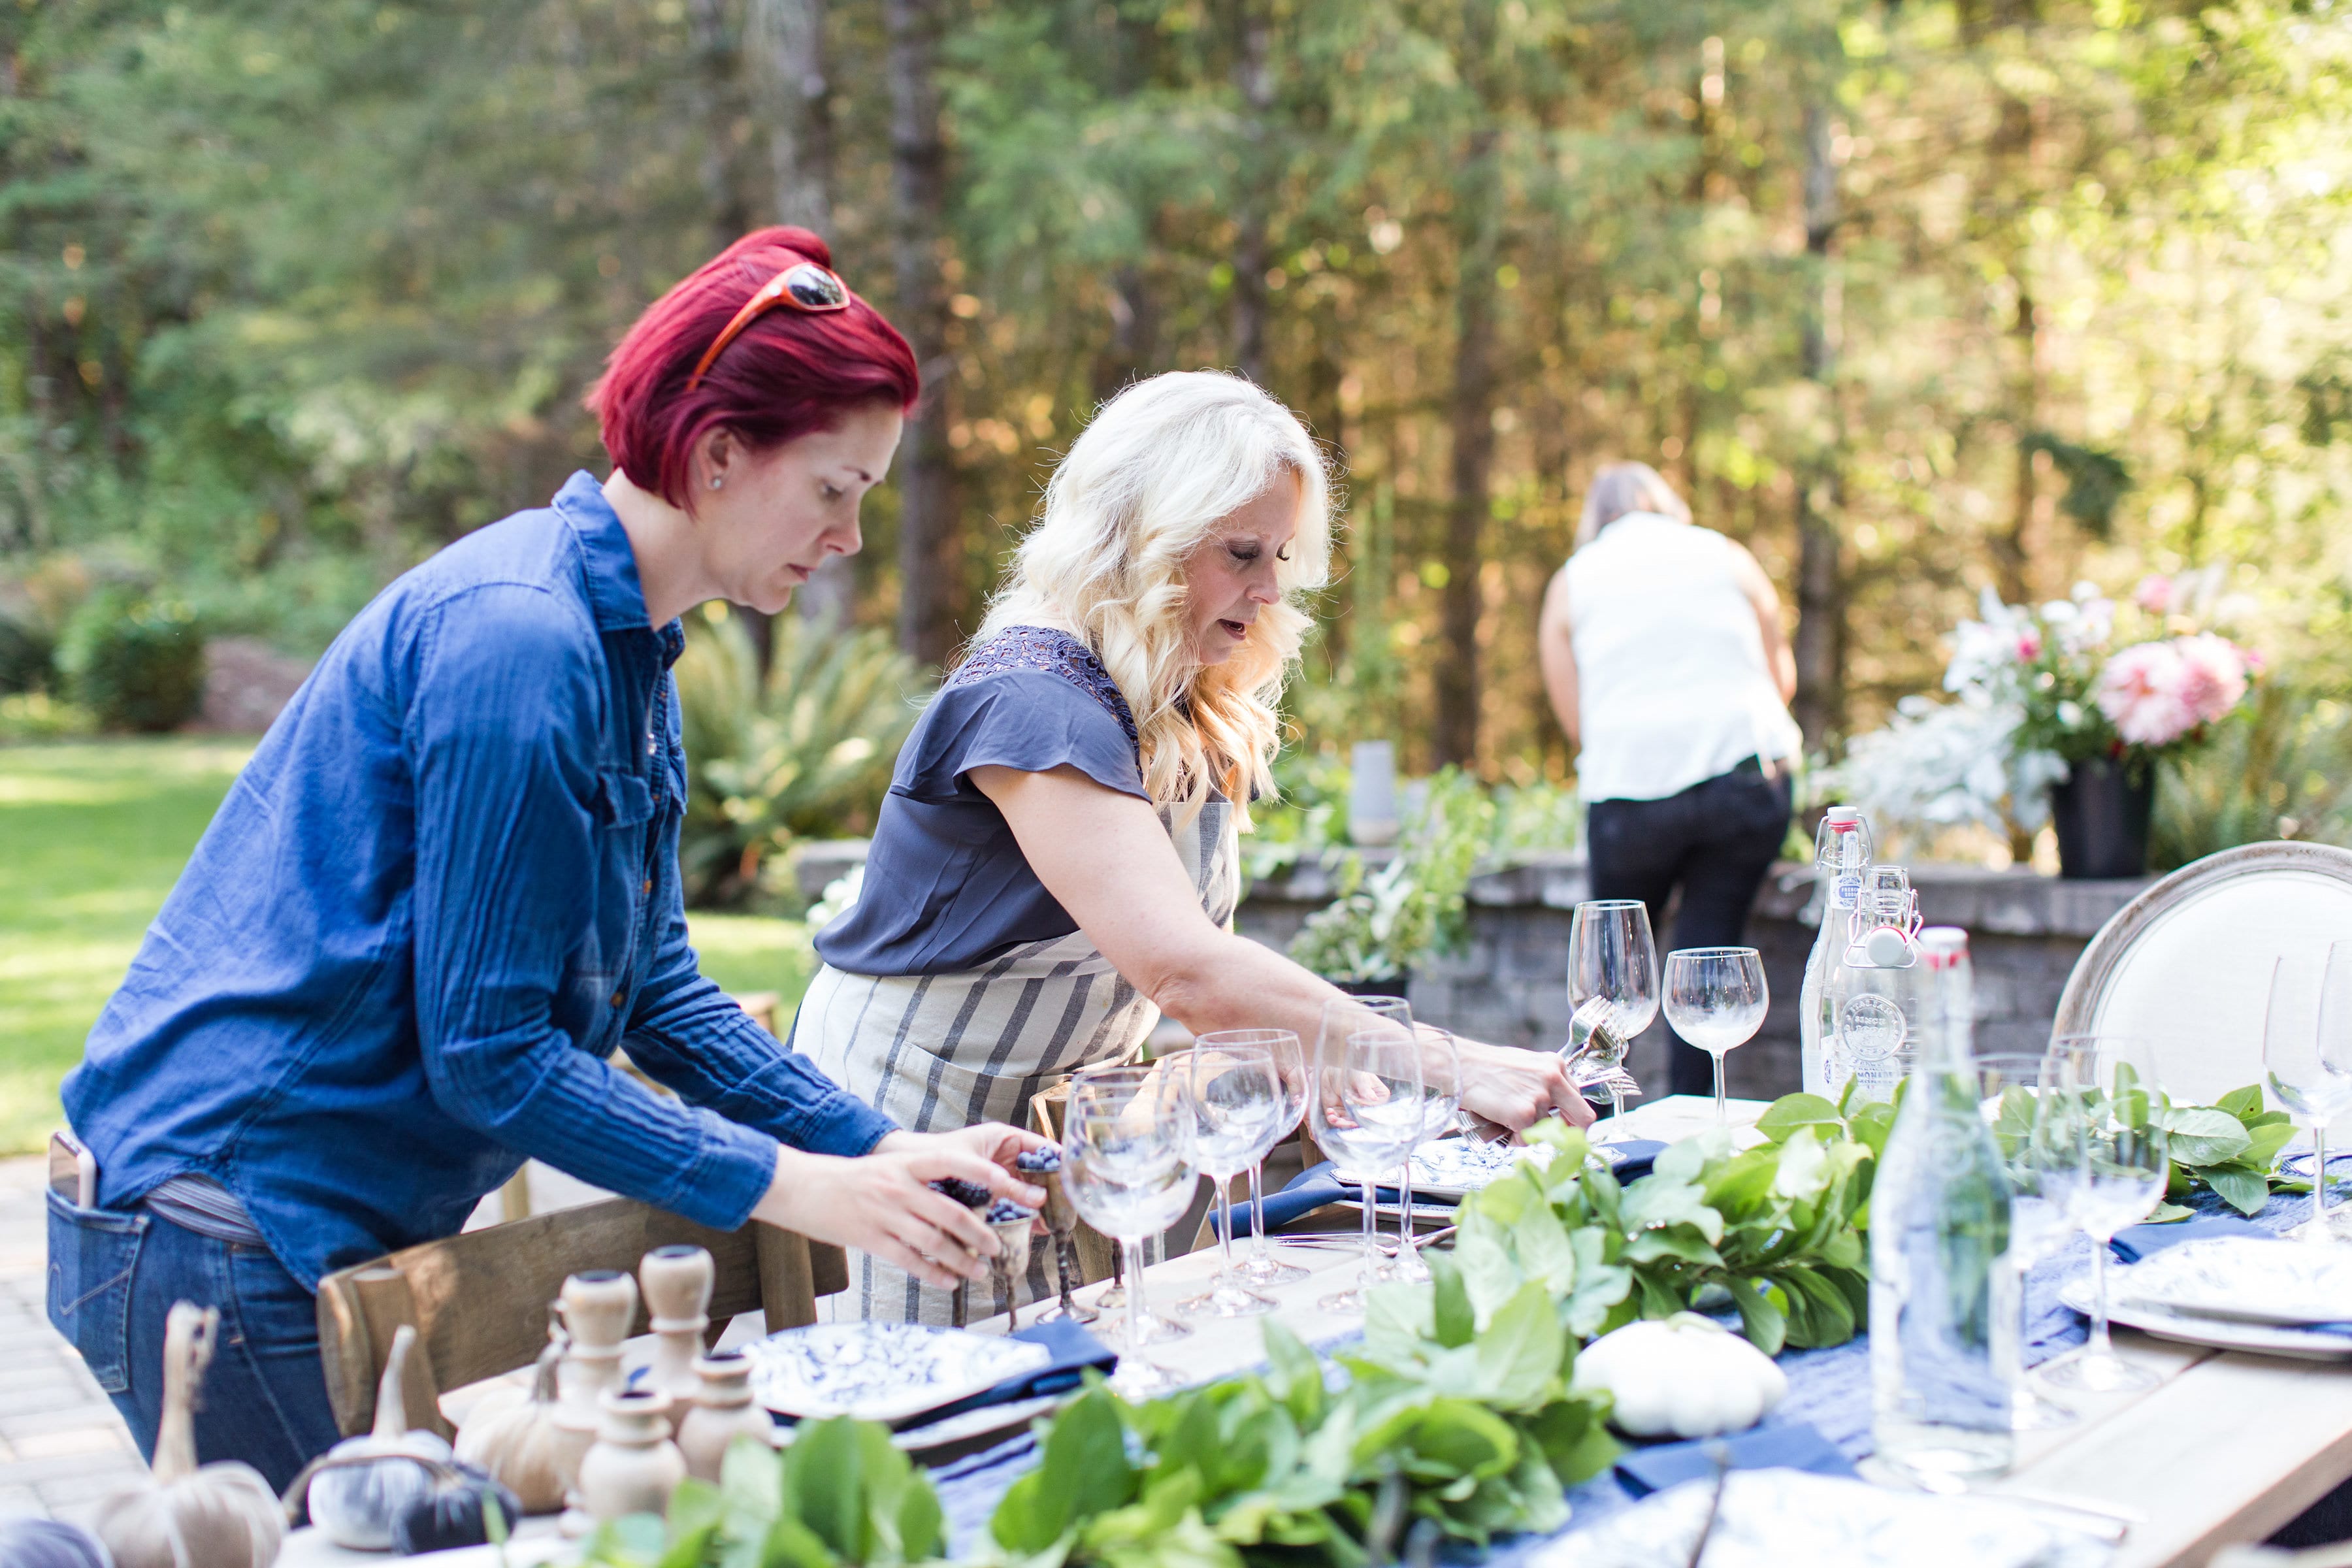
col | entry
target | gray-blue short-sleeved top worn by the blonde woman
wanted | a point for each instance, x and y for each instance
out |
(947, 885)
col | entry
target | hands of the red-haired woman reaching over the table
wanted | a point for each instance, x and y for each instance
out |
(883, 1202)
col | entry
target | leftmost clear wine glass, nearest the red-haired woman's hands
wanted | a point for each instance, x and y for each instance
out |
(1128, 1165)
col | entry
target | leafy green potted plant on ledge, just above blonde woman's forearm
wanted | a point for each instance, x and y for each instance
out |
(1389, 916)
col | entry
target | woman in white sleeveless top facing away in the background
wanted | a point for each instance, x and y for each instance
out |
(1664, 655)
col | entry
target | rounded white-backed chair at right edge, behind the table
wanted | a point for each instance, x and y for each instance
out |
(2186, 965)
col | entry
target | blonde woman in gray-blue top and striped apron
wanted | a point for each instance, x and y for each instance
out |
(1055, 864)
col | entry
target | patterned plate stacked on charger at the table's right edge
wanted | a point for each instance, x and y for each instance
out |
(2236, 1294)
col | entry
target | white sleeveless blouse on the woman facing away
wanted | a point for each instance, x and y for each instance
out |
(1671, 678)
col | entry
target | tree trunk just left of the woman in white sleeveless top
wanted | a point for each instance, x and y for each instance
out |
(1471, 422)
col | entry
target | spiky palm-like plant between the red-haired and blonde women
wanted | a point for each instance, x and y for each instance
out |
(801, 756)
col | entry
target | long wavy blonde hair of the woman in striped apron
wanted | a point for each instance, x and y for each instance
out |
(1142, 488)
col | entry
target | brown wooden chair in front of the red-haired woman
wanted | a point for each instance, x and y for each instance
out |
(481, 1301)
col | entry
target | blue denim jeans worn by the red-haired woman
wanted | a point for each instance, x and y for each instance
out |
(112, 1285)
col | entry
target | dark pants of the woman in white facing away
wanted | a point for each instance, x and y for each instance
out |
(1716, 843)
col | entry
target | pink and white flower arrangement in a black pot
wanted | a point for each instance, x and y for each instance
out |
(2040, 690)
